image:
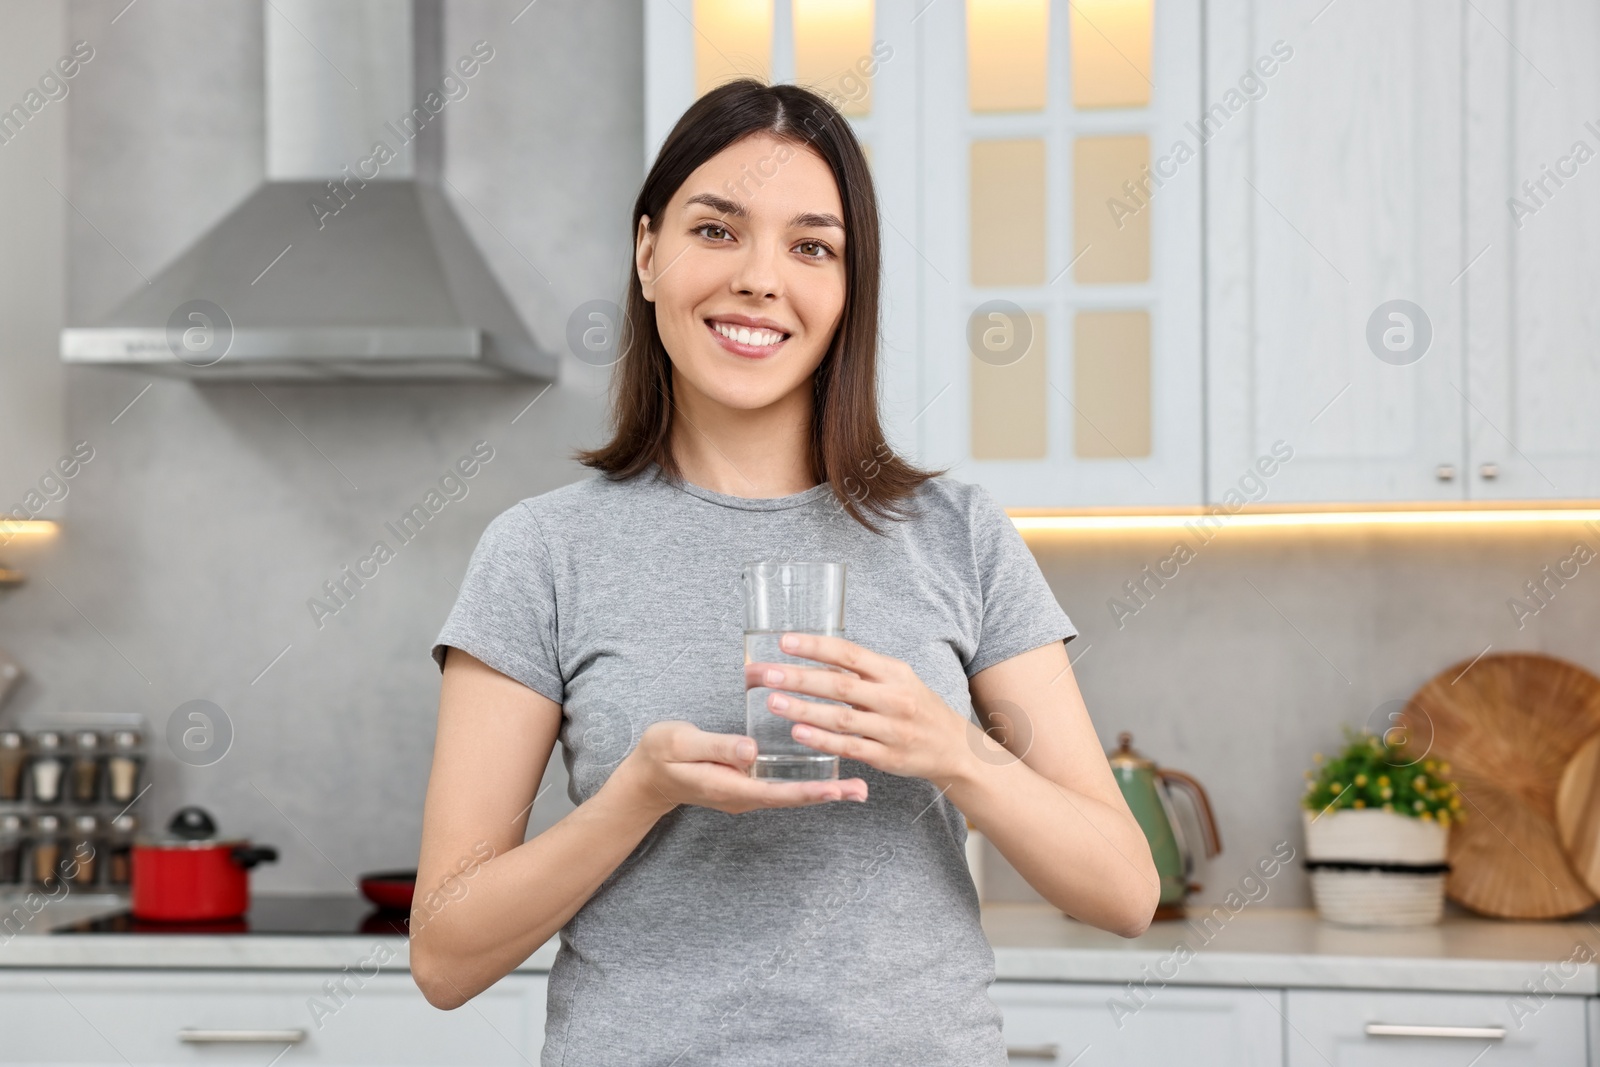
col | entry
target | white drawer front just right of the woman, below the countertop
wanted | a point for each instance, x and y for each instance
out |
(1068, 1023)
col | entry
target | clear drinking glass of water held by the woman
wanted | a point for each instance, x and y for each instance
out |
(786, 597)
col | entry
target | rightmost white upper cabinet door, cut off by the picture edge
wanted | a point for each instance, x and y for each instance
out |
(1534, 234)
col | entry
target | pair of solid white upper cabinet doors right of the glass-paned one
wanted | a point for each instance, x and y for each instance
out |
(1446, 156)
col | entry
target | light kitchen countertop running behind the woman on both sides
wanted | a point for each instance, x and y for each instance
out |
(1265, 948)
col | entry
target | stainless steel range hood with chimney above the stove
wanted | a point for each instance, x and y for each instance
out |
(348, 263)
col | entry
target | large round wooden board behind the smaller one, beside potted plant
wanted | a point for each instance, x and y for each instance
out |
(1508, 727)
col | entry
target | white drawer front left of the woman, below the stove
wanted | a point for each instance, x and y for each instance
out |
(119, 1018)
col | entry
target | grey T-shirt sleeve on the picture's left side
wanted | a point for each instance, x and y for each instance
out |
(505, 613)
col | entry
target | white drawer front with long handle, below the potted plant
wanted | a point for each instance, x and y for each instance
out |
(1332, 1028)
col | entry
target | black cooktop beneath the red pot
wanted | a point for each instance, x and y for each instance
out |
(270, 914)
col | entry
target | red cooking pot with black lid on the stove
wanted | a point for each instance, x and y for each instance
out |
(193, 876)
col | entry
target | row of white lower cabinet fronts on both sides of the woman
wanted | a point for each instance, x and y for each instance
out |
(116, 1018)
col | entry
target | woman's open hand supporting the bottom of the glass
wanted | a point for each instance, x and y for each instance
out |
(679, 764)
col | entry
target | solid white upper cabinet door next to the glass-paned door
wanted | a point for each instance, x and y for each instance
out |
(1332, 194)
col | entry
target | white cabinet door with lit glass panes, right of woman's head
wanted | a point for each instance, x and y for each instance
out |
(1060, 254)
